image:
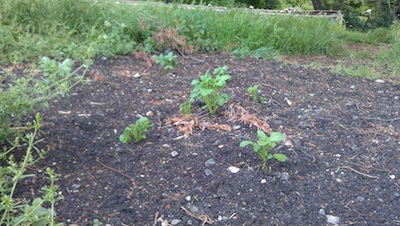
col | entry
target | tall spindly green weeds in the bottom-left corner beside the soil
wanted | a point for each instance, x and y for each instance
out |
(21, 212)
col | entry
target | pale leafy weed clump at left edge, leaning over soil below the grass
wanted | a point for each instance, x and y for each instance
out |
(25, 93)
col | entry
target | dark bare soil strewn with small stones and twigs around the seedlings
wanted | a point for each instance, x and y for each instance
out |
(342, 144)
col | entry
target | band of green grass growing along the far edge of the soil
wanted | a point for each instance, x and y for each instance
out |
(30, 29)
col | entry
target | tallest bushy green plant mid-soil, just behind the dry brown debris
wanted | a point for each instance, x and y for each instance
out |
(208, 89)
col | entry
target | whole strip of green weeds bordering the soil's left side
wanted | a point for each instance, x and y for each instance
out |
(20, 96)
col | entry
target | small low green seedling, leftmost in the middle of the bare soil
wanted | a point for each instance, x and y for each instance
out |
(137, 131)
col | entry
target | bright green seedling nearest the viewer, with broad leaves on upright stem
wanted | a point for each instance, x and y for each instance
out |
(264, 145)
